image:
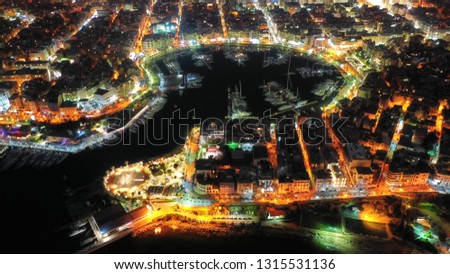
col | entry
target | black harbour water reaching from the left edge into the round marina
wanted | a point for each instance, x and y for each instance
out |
(32, 203)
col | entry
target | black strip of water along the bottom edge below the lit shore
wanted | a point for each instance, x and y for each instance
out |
(263, 243)
